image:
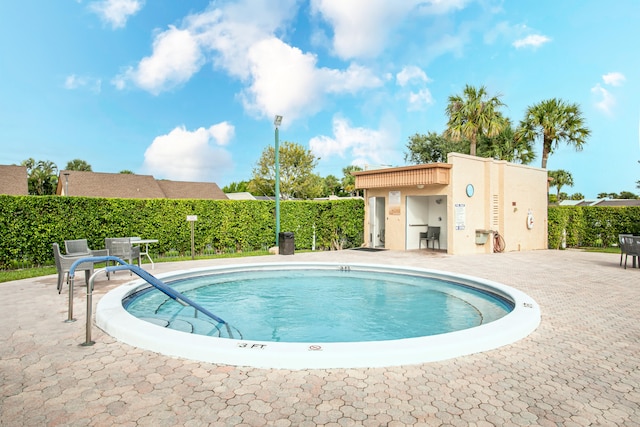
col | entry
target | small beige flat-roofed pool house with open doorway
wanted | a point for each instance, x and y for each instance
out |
(459, 205)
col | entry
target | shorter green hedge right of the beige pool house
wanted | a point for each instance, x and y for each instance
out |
(591, 225)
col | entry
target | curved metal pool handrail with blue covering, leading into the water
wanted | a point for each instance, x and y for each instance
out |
(146, 276)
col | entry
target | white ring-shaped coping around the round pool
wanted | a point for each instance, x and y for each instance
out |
(112, 318)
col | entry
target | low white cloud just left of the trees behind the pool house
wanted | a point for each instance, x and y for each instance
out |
(366, 146)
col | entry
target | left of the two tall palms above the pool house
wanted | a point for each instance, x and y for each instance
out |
(472, 114)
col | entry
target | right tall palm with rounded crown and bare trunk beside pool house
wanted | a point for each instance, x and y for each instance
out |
(555, 121)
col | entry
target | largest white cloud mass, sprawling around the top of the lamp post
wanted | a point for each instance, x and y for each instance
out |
(239, 38)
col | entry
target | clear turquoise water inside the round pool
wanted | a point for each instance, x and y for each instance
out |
(321, 305)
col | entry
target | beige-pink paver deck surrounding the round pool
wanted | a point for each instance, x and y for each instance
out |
(580, 367)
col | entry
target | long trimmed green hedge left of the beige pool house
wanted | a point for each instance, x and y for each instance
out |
(29, 224)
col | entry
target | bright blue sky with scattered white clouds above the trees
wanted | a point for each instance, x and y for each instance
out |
(188, 90)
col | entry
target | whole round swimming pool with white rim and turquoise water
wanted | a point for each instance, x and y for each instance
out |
(319, 315)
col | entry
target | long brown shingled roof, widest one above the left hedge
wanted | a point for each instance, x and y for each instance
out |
(132, 186)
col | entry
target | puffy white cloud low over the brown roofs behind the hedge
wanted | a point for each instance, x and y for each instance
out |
(184, 155)
